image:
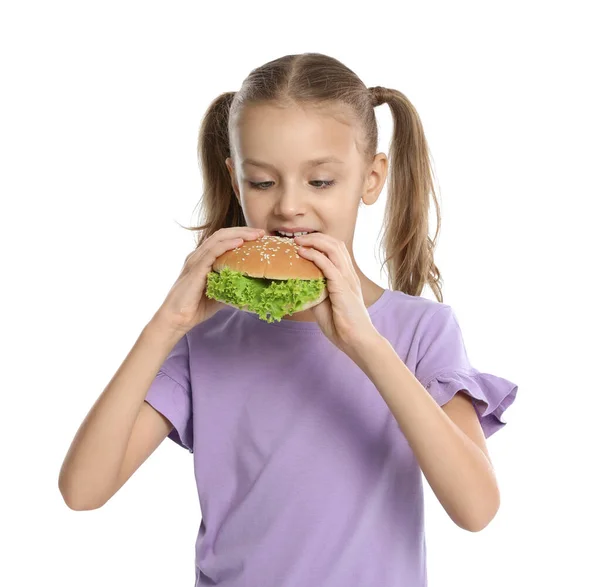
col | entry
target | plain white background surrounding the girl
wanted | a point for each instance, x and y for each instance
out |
(101, 104)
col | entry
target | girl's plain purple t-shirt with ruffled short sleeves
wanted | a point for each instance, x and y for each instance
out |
(304, 476)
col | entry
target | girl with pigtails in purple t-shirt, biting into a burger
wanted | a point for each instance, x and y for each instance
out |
(309, 434)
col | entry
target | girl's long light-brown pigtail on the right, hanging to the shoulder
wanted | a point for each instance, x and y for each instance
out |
(406, 243)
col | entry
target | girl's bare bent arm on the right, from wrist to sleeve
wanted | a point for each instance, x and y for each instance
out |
(458, 472)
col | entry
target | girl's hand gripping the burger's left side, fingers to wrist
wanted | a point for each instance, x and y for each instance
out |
(186, 304)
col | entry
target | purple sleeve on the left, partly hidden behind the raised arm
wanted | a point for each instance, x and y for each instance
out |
(170, 393)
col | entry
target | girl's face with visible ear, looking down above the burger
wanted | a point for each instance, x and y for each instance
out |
(292, 192)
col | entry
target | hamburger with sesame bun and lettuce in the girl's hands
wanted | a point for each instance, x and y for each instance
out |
(266, 276)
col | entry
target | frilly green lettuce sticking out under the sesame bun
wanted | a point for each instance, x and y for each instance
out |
(271, 299)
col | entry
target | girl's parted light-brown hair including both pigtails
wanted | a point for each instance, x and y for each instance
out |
(314, 80)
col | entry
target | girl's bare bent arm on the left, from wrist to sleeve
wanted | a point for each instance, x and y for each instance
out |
(121, 430)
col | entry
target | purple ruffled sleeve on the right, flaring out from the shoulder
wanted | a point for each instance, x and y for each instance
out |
(444, 369)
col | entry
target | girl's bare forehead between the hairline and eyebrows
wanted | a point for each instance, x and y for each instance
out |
(291, 135)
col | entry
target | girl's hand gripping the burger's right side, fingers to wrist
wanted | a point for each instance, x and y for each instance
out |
(343, 316)
